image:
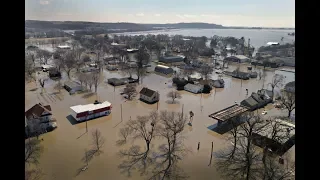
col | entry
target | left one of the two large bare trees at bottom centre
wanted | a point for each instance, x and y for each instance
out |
(143, 128)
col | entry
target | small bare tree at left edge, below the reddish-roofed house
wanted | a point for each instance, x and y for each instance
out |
(33, 150)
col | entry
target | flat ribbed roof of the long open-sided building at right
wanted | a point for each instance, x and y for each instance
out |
(229, 112)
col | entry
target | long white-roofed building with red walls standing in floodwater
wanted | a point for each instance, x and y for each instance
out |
(90, 111)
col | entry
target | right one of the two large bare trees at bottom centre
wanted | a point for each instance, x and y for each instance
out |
(171, 126)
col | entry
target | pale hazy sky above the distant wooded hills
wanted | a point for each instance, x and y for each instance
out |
(251, 13)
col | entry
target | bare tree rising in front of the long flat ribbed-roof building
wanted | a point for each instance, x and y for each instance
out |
(244, 164)
